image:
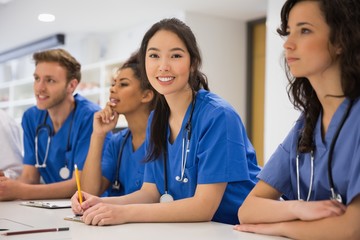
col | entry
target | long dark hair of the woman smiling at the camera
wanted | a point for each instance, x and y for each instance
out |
(197, 80)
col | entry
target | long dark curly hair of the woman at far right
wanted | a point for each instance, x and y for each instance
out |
(343, 19)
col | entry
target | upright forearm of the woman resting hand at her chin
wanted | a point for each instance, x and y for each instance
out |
(91, 175)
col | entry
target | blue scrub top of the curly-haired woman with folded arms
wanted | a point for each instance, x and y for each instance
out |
(280, 170)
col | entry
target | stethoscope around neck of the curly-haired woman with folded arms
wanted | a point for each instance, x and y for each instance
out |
(334, 195)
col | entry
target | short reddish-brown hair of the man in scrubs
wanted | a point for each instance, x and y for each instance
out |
(63, 58)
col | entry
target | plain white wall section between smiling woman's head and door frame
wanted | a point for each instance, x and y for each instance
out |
(223, 47)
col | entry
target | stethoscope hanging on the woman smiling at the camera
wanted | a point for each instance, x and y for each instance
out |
(185, 150)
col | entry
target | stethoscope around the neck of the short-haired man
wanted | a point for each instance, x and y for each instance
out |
(64, 171)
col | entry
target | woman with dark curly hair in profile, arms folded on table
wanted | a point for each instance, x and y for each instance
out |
(316, 169)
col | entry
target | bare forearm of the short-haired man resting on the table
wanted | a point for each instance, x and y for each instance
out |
(58, 190)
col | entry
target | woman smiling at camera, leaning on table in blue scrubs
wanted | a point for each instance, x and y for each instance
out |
(200, 162)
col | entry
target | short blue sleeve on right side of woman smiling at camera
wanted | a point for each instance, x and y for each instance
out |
(222, 148)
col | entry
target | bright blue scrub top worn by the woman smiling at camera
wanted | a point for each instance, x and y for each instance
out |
(220, 151)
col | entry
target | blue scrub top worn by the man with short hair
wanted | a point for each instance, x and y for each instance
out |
(59, 154)
